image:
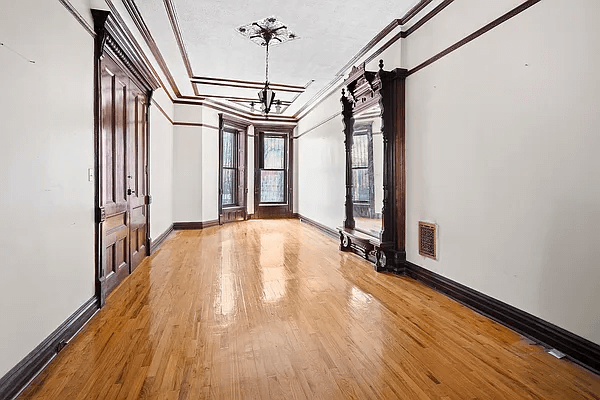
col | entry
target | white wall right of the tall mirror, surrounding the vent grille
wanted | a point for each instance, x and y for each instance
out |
(502, 153)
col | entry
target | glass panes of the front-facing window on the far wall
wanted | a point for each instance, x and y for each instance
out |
(273, 172)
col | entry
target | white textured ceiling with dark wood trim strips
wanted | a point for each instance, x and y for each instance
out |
(330, 34)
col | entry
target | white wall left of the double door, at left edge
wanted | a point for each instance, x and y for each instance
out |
(47, 202)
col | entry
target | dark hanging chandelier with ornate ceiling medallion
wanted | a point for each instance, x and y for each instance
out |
(266, 32)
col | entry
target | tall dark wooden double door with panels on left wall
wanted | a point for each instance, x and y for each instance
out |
(123, 168)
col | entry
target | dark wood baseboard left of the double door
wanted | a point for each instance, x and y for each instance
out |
(21, 375)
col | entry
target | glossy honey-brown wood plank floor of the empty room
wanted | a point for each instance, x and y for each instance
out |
(272, 309)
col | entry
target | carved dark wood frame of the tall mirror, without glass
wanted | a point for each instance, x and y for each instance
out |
(366, 89)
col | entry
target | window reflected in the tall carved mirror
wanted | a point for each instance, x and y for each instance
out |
(362, 165)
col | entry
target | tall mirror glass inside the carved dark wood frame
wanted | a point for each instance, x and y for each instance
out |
(367, 171)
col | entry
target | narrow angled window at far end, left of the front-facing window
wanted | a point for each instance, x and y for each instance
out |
(229, 157)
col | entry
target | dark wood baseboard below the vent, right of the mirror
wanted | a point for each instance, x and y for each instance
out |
(578, 349)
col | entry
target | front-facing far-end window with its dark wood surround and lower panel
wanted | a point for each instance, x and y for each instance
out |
(273, 192)
